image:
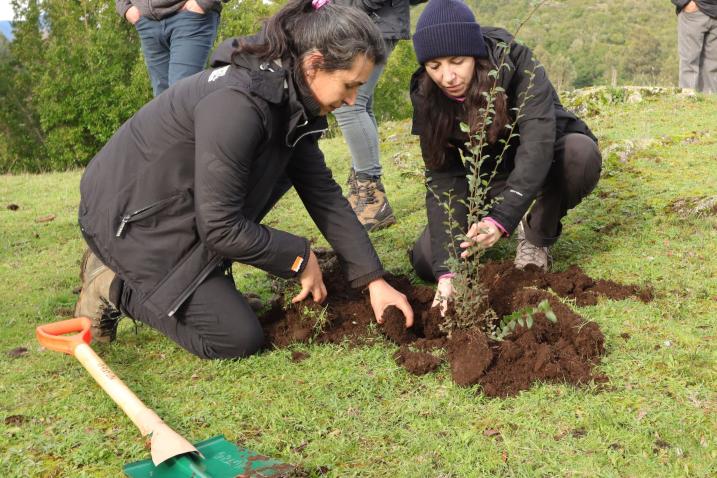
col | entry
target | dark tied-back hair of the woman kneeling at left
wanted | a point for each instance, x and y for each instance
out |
(338, 32)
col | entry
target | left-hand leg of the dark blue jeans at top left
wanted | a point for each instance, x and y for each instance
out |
(156, 52)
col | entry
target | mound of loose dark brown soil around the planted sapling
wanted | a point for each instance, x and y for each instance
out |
(562, 351)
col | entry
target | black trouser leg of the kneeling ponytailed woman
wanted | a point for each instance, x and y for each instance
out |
(215, 322)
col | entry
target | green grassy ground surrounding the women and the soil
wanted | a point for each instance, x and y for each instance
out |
(355, 411)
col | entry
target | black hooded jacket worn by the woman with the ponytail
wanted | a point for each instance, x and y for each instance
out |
(183, 184)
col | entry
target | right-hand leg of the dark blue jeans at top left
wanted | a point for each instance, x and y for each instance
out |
(191, 40)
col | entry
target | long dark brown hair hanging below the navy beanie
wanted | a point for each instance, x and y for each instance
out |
(441, 114)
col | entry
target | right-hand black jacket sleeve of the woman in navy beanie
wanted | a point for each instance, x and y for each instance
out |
(537, 129)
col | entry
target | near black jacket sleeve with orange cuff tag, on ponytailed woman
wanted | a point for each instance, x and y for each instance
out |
(223, 161)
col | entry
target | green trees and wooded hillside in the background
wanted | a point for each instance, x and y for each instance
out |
(74, 71)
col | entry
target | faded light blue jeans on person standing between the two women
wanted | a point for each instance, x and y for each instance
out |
(359, 127)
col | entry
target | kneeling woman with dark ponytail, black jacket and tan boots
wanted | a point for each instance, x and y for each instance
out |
(179, 191)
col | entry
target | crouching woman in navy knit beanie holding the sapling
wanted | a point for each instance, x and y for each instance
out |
(553, 161)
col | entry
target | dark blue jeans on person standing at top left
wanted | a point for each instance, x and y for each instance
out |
(177, 46)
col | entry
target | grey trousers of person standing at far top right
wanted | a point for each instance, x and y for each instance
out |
(691, 30)
